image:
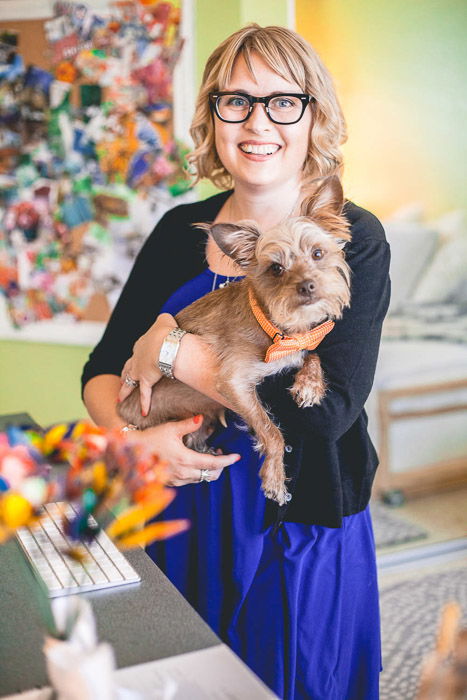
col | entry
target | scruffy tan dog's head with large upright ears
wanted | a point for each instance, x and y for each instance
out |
(297, 269)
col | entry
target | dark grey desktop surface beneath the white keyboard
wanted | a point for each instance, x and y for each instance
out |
(145, 621)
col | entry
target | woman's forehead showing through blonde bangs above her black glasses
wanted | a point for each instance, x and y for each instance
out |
(260, 79)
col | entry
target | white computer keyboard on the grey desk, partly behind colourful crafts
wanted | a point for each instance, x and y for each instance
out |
(44, 545)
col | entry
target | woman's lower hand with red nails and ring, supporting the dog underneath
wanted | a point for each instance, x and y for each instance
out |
(184, 465)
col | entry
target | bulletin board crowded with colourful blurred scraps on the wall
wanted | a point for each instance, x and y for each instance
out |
(88, 159)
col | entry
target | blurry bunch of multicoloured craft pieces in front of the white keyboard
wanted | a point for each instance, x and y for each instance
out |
(98, 470)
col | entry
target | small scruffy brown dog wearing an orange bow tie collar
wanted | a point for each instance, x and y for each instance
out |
(296, 278)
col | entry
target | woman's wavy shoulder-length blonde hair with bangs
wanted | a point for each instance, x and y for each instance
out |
(291, 57)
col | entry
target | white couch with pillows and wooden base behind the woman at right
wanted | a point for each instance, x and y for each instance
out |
(418, 406)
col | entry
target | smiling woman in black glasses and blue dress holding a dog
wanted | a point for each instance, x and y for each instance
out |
(291, 589)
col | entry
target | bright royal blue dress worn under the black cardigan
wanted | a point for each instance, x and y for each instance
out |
(299, 605)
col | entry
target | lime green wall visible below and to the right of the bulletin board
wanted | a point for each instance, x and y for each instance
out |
(43, 379)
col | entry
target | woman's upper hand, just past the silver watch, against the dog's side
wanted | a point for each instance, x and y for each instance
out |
(143, 366)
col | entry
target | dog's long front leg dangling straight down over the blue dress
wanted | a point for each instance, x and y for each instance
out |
(268, 436)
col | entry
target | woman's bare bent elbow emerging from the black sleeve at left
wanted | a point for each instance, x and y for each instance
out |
(100, 398)
